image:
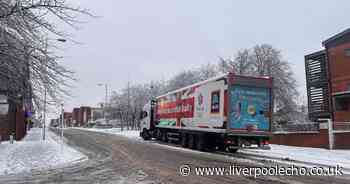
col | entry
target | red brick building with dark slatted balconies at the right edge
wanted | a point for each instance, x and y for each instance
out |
(328, 79)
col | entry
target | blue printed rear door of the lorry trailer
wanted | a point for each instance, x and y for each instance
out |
(250, 102)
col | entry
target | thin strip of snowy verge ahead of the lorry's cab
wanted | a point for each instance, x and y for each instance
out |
(132, 134)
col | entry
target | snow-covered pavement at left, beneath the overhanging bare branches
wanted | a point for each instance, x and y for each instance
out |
(32, 153)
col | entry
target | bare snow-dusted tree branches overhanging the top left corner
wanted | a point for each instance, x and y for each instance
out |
(27, 28)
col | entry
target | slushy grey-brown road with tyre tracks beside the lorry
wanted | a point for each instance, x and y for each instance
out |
(118, 159)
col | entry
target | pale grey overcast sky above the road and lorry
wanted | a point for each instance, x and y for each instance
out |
(149, 40)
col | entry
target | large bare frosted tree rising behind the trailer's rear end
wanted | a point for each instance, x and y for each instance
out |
(264, 60)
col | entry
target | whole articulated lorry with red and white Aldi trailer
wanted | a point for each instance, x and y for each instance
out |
(226, 113)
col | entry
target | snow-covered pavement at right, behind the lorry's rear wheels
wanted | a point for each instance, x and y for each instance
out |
(315, 156)
